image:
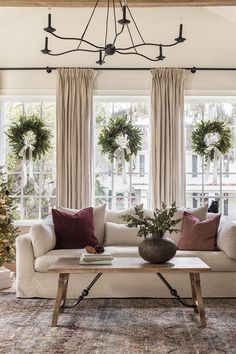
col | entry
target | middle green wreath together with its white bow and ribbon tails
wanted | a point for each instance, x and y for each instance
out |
(120, 140)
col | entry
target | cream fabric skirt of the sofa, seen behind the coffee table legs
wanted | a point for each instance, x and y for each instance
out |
(44, 285)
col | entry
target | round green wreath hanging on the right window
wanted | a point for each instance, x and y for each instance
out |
(211, 134)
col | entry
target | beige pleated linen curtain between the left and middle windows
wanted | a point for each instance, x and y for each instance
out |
(74, 128)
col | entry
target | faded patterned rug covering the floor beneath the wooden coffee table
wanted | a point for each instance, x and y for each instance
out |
(123, 326)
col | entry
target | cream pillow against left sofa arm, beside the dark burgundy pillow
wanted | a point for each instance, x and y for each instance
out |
(43, 238)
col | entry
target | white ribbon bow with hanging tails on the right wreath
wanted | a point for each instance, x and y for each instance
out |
(211, 139)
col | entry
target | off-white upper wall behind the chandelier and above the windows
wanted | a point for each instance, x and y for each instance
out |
(210, 42)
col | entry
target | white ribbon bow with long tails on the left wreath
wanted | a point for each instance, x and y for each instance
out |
(29, 139)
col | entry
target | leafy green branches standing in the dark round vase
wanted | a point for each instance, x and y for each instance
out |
(161, 222)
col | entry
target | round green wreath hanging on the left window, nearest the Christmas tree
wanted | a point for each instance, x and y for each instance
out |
(29, 132)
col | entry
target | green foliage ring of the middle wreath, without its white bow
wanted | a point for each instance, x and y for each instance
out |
(120, 127)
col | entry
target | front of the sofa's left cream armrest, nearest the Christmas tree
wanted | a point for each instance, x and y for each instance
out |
(24, 264)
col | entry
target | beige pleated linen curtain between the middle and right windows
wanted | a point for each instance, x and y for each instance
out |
(167, 135)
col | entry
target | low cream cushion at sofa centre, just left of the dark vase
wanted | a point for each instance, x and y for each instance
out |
(121, 235)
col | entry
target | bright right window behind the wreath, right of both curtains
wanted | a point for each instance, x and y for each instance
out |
(198, 189)
